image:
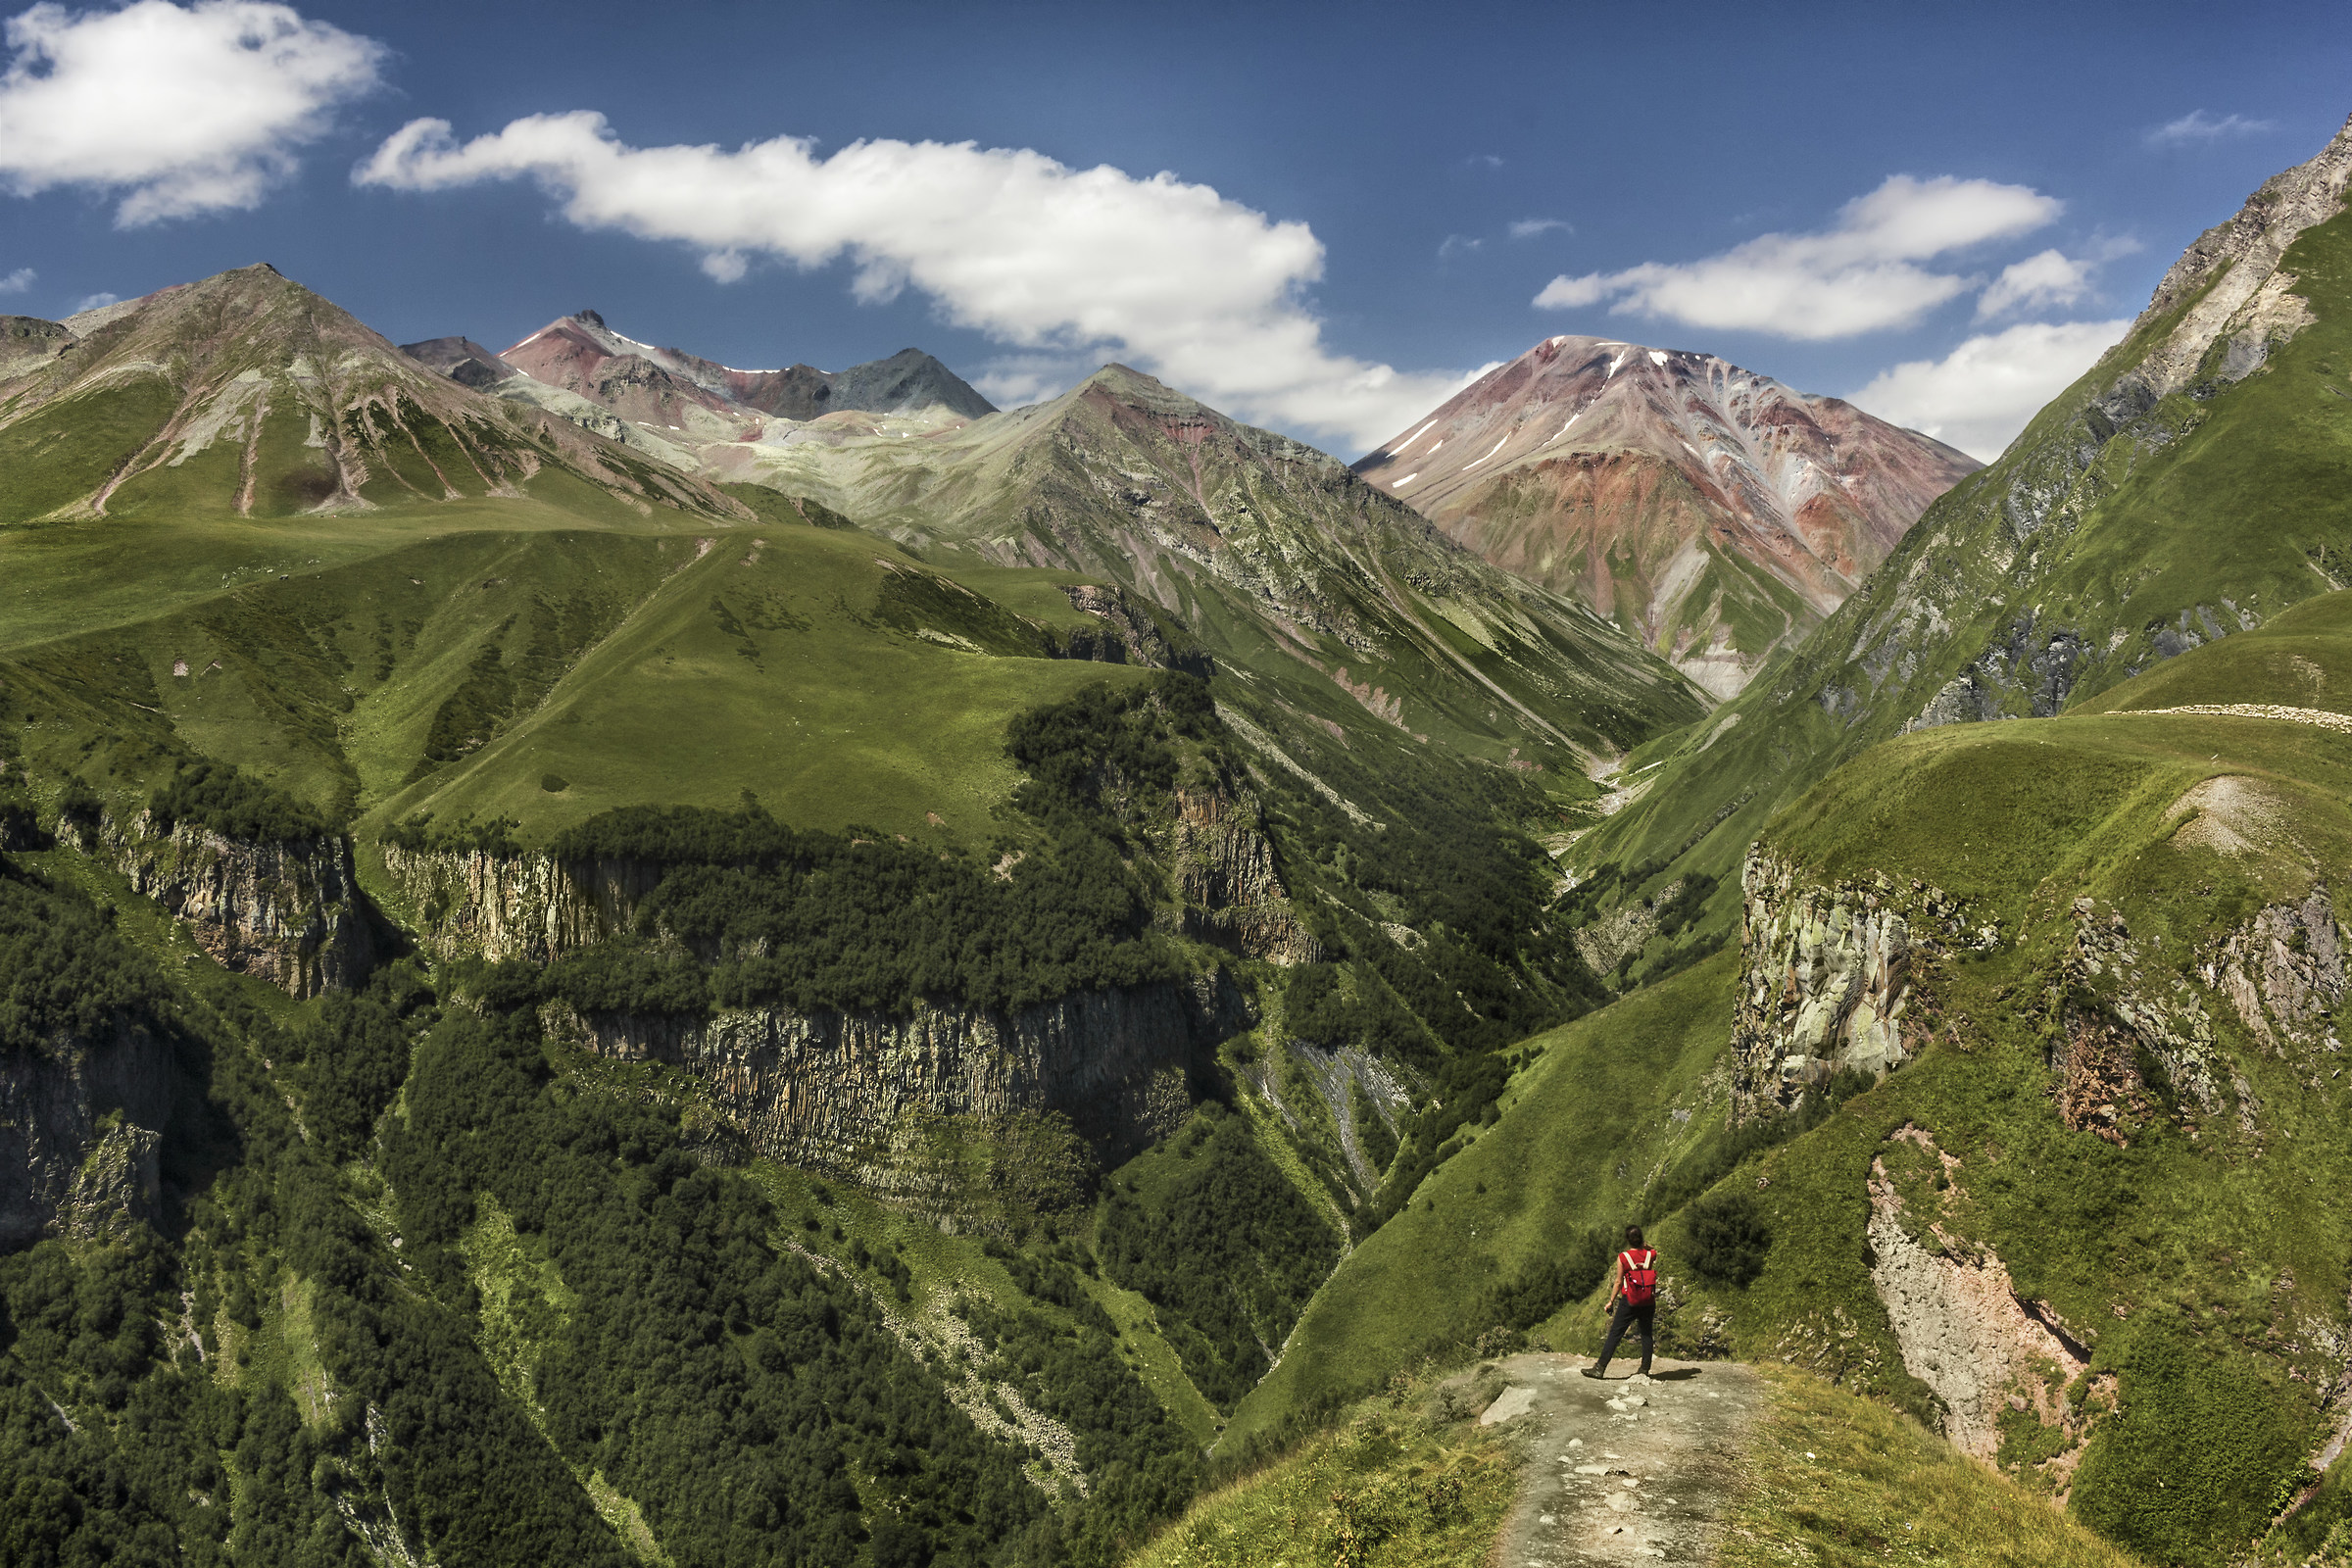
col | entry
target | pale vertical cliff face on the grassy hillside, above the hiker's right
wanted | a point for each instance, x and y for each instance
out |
(1826, 977)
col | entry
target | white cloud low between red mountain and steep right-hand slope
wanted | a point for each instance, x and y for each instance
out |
(1986, 391)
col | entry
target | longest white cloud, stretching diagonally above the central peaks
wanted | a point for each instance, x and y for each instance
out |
(1048, 260)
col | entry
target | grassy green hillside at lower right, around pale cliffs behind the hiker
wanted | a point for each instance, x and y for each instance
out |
(2196, 1254)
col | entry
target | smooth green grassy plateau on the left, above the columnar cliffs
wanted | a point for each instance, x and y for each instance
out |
(443, 669)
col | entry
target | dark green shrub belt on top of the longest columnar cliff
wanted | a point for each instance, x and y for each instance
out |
(810, 920)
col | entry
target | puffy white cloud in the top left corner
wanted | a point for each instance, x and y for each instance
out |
(182, 109)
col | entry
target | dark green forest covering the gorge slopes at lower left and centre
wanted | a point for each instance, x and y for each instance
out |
(305, 1355)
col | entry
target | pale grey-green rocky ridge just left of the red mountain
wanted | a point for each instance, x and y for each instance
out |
(1332, 598)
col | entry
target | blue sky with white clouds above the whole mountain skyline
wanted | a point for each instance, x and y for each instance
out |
(1314, 217)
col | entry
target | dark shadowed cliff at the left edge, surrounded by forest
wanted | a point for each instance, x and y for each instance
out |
(79, 1134)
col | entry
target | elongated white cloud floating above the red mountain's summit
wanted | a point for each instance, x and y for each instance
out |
(1859, 276)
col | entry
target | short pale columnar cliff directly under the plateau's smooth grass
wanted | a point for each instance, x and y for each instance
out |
(516, 906)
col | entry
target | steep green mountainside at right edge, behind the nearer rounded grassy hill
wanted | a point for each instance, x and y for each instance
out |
(2109, 537)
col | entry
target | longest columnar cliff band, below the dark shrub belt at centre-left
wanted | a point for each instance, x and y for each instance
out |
(846, 1092)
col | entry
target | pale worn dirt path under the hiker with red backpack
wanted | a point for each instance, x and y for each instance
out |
(1622, 1470)
